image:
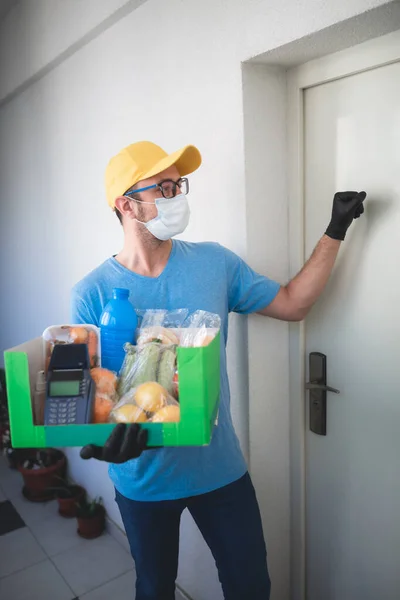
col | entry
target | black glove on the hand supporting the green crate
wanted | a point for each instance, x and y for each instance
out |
(125, 442)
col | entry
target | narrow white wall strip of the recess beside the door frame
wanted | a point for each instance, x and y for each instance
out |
(267, 236)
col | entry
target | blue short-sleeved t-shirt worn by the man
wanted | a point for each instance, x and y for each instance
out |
(197, 276)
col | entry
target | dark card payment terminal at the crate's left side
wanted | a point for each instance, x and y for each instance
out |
(70, 389)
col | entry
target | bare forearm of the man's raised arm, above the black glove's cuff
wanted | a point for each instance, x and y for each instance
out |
(308, 285)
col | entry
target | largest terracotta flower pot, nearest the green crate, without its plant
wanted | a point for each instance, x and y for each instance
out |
(37, 482)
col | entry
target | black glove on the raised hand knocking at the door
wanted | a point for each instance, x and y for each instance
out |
(346, 207)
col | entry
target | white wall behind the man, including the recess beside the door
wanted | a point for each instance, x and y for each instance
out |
(170, 72)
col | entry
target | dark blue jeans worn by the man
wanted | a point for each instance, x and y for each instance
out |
(229, 520)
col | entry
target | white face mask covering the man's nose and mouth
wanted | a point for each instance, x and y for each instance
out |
(172, 219)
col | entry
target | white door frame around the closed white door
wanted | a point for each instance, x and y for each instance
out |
(369, 55)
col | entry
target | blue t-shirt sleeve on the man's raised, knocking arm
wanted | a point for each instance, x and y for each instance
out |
(248, 291)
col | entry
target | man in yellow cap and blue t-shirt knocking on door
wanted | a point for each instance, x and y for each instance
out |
(147, 189)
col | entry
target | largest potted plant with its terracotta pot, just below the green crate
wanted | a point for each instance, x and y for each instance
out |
(41, 471)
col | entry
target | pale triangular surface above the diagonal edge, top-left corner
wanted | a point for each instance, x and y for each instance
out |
(36, 35)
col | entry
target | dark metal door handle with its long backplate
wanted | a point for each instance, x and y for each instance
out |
(318, 389)
